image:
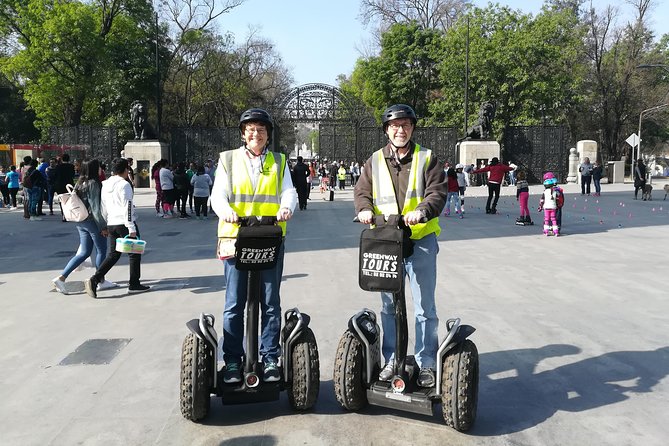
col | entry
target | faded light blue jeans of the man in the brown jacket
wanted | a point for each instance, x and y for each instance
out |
(421, 268)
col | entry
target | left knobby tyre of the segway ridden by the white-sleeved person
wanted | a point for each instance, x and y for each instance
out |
(197, 371)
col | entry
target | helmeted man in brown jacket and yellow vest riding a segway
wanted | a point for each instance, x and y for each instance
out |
(414, 176)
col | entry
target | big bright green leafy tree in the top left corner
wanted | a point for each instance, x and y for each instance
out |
(71, 59)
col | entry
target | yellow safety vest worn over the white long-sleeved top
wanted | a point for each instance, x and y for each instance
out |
(243, 199)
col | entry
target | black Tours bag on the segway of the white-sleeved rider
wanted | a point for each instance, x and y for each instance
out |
(257, 246)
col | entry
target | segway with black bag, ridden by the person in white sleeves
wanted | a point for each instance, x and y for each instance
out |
(256, 249)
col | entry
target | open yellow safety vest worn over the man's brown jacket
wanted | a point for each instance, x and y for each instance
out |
(383, 191)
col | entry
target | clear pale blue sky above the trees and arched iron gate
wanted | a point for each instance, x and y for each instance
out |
(320, 39)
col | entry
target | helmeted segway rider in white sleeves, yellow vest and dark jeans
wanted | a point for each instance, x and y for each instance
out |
(252, 167)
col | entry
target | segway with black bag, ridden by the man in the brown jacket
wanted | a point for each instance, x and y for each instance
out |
(358, 357)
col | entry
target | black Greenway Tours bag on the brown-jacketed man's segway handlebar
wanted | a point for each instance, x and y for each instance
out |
(381, 253)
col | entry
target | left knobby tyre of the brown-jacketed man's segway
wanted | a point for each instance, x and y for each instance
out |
(348, 373)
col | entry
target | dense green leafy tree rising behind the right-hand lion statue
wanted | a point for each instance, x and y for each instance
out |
(522, 63)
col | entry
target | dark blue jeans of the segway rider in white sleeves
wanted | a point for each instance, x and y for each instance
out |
(270, 311)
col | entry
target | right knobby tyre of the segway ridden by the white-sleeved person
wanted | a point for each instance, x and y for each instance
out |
(305, 373)
